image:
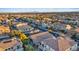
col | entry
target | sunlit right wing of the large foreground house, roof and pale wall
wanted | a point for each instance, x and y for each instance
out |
(66, 44)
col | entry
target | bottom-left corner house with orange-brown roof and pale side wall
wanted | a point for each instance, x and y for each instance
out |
(11, 44)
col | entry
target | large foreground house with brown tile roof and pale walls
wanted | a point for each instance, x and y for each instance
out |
(47, 42)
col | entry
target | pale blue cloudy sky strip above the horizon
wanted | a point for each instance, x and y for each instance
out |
(38, 9)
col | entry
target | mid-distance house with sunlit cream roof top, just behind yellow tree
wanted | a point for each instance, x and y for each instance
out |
(27, 29)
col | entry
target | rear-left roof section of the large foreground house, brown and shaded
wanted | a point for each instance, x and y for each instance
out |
(41, 36)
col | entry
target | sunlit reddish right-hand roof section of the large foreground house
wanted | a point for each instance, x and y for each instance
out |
(64, 43)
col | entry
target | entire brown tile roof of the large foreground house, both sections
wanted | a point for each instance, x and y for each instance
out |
(58, 44)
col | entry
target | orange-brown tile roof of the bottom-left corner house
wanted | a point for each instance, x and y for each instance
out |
(8, 43)
